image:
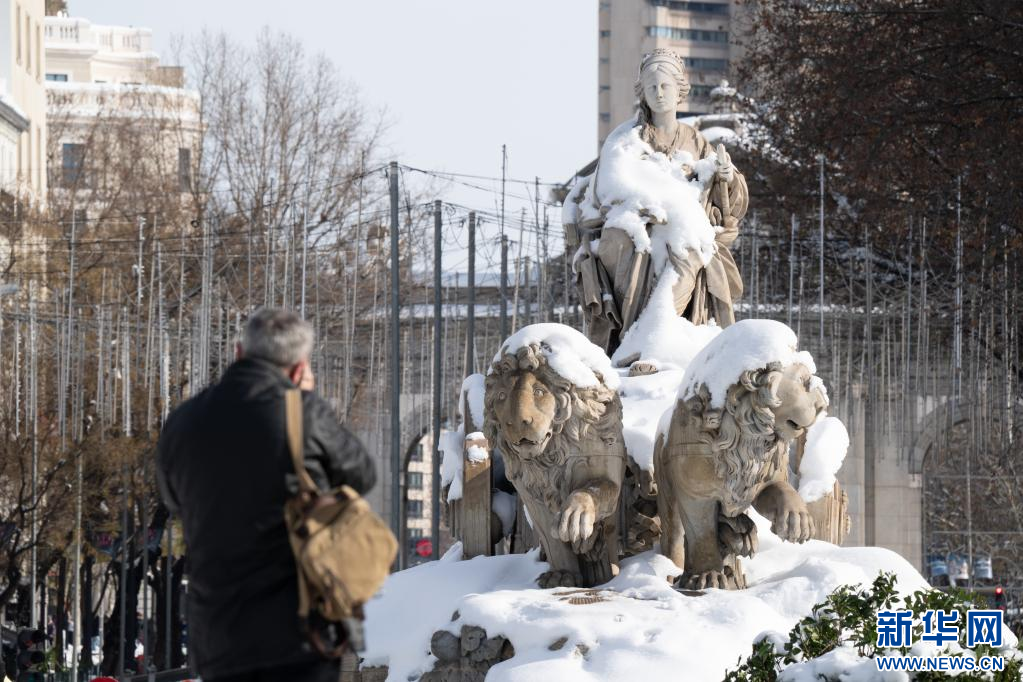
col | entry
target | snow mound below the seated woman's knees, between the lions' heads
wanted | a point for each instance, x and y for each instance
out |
(661, 336)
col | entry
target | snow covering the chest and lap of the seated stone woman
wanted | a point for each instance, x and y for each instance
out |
(637, 186)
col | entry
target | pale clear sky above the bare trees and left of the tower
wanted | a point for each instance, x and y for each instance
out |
(458, 78)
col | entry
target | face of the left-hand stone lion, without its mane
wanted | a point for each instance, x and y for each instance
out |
(525, 407)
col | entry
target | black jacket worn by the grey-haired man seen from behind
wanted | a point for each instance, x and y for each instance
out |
(223, 468)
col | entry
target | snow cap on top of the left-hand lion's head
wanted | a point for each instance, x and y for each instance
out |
(568, 352)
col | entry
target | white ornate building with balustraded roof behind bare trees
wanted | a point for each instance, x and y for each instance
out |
(107, 89)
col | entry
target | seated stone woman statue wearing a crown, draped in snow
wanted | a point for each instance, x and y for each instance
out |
(613, 216)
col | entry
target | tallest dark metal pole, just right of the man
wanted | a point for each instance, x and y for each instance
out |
(395, 362)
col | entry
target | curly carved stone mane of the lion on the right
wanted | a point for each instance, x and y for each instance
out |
(743, 434)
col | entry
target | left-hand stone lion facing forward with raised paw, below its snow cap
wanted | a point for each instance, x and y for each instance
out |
(564, 452)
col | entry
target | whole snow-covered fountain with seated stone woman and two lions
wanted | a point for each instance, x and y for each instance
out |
(676, 468)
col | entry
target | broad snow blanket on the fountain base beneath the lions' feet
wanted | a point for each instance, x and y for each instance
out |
(636, 627)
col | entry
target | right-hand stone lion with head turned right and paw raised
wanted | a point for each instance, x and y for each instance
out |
(716, 464)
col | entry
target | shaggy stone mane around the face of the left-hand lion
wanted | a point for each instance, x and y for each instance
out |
(585, 417)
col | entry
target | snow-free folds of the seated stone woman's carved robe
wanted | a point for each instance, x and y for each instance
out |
(616, 282)
